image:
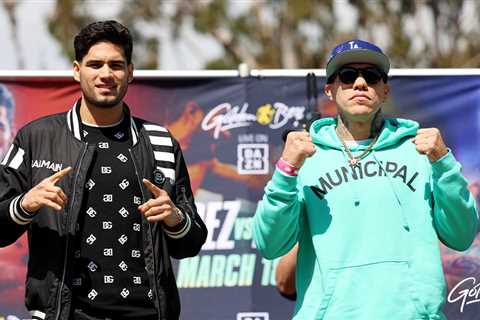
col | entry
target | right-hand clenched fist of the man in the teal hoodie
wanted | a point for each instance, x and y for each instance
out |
(430, 143)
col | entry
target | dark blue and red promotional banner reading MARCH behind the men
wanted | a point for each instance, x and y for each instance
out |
(230, 131)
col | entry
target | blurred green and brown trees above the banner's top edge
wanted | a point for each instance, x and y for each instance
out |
(295, 33)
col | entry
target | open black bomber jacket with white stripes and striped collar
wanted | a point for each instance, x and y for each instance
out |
(54, 142)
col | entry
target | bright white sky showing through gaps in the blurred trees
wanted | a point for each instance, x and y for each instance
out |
(39, 51)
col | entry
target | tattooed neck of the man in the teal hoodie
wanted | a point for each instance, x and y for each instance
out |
(358, 130)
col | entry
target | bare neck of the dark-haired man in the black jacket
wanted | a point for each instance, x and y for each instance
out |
(99, 116)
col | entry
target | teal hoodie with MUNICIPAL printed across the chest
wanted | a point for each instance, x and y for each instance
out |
(368, 235)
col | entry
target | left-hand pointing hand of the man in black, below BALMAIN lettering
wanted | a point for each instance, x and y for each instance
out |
(46, 193)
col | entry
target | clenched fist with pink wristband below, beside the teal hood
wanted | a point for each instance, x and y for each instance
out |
(298, 147)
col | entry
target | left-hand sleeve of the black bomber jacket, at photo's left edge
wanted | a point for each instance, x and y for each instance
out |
(15, 172)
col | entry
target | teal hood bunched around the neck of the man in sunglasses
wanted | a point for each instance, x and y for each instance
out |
(393, 131)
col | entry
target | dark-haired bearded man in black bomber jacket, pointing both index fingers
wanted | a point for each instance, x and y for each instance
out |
(105, 198)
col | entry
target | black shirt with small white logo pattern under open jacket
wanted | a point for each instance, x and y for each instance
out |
(110, 278)
